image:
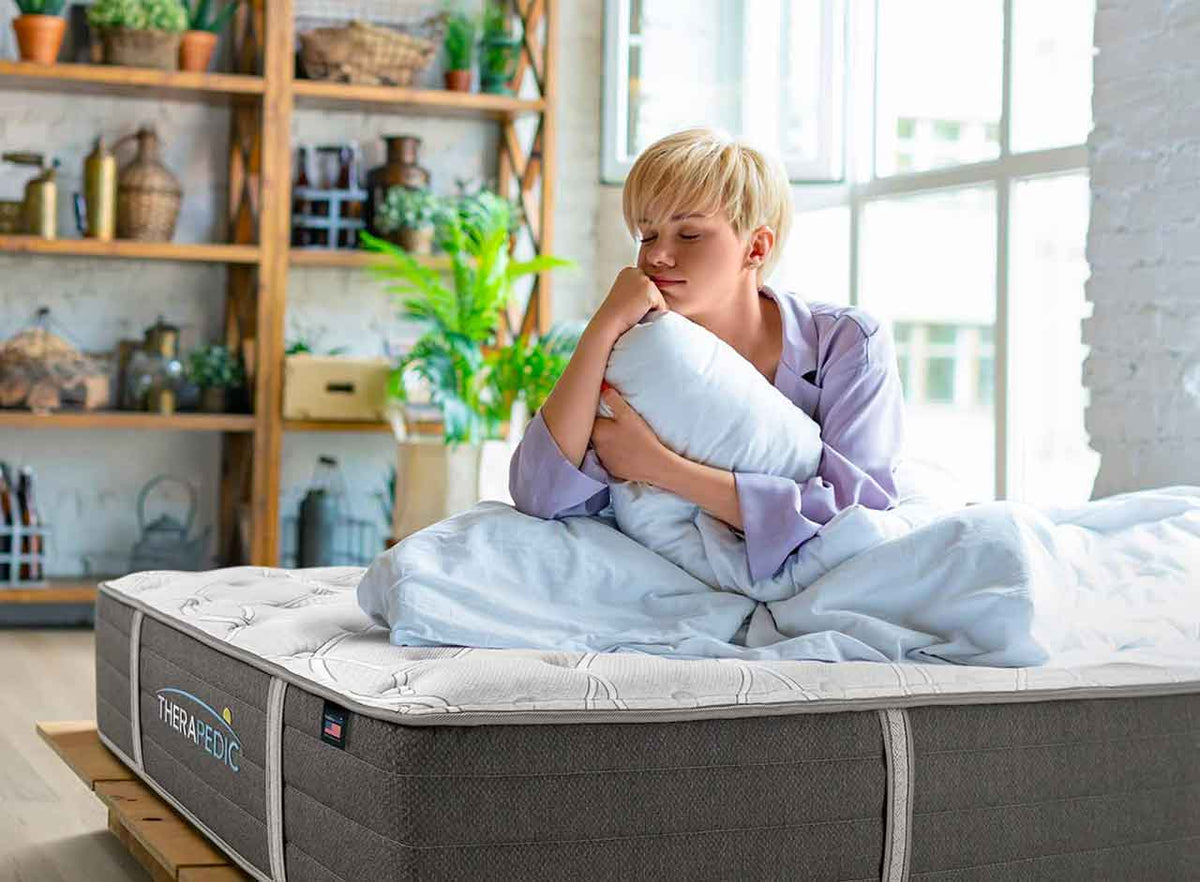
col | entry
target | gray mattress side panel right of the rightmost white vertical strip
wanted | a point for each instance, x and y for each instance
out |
(1071, 790)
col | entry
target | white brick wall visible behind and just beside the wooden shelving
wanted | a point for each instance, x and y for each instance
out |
(89, 481)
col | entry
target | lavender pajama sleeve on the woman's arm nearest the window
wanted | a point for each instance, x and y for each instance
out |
(861, 413)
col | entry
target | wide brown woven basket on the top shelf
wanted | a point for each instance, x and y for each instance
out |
(370, 55)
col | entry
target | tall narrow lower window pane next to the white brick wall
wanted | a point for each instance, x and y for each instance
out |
(1049, 458)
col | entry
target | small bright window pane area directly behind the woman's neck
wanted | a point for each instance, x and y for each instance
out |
(817, 256)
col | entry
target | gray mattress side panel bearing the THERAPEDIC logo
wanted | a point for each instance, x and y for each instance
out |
(178, 670)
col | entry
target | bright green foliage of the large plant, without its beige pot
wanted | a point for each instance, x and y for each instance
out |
(471, 379)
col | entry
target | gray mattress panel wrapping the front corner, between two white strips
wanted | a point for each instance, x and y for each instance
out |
(464, 801)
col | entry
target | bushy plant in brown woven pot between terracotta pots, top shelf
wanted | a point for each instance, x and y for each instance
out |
(140, 33)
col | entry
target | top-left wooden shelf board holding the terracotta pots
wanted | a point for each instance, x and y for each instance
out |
(127, 81)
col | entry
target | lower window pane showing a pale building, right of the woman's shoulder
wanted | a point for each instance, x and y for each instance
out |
(928, 266)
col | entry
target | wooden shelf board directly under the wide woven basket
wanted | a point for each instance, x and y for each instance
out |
(344, 97)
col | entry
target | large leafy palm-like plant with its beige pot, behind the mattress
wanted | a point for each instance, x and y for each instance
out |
(469, 375)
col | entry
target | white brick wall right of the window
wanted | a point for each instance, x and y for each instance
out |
(1144, 245)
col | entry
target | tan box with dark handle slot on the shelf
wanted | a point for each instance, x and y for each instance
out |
(327, 388)
